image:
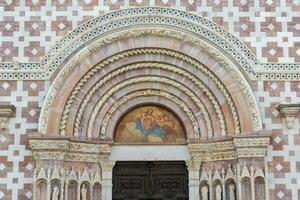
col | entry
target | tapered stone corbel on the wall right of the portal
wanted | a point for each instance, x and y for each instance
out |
(289, 112)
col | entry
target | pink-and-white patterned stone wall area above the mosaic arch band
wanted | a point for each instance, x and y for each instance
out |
(271, 29)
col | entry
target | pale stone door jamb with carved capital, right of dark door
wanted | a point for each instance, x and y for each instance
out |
(194, 183)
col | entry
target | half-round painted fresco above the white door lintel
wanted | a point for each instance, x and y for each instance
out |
(149, 124)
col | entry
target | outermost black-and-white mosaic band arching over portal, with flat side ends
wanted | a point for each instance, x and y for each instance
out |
(146, 16)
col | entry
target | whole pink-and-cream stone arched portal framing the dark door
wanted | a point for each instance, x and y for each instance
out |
(104, 75)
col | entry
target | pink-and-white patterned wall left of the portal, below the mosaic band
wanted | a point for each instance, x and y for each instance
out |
(15, 159)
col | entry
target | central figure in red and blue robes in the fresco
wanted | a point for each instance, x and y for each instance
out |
(147, 124)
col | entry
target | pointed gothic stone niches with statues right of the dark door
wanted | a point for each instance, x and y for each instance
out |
(231, 179)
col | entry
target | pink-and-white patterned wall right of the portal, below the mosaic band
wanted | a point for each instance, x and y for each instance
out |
(284, 152)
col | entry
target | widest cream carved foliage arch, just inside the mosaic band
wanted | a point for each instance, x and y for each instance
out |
(228, 66)
